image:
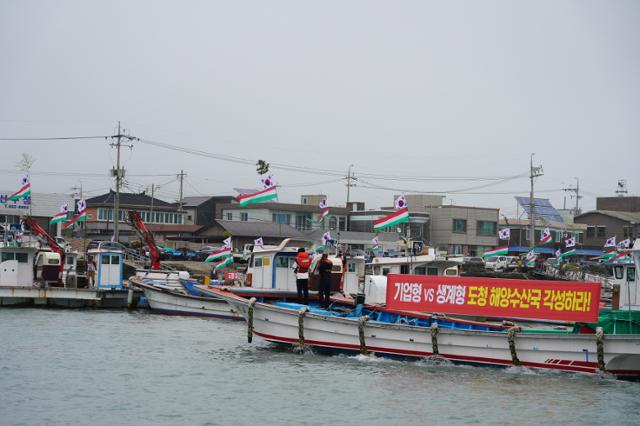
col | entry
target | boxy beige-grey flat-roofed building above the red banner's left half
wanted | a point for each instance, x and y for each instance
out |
(468, 231)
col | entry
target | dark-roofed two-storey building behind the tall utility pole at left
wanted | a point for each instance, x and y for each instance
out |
(100, 217)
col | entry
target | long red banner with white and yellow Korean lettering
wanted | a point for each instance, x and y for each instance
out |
(493, 297)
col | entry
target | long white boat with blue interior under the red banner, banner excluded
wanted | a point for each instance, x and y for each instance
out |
(572, 347)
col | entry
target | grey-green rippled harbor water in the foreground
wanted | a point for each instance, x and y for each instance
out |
(63, 367)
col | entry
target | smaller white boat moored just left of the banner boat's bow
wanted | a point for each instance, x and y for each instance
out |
(170, 301)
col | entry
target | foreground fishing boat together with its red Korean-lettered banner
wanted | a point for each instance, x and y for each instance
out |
(607, 343)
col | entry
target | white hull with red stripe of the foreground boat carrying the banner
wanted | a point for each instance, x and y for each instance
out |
(565, 352)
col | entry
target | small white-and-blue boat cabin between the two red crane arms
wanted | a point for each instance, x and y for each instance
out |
(109, 259)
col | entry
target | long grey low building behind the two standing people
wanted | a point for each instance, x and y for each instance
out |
(300, 216)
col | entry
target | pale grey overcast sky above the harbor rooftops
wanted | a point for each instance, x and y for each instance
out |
(421, 88)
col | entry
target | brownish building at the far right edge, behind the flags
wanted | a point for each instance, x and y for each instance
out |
(603, 224)
